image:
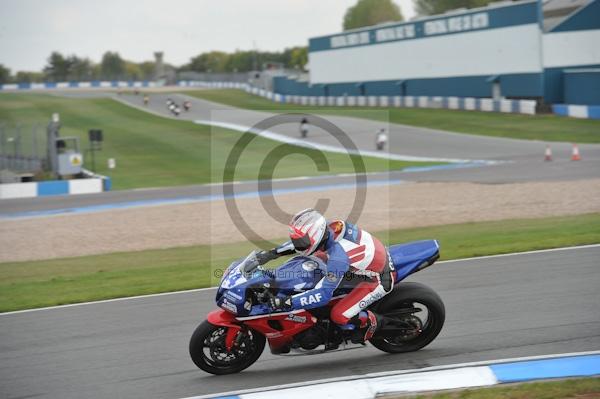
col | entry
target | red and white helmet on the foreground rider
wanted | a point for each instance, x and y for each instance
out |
(307, 231)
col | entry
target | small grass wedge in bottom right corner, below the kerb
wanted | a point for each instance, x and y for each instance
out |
(581, 388)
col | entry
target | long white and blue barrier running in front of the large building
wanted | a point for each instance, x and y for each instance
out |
(462, 103)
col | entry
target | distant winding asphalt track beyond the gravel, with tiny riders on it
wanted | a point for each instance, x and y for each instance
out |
(519, 160)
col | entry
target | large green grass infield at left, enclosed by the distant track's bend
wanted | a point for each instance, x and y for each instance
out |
(152, 151)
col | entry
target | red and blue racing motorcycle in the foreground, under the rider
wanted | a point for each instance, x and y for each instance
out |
(233, 337)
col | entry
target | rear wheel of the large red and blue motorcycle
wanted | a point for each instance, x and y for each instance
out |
(425, 325)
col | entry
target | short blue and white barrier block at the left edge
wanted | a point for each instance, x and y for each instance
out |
(96, 184)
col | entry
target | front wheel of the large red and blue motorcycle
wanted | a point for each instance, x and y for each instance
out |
(208, 350)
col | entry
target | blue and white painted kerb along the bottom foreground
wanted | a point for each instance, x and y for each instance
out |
(433, 379)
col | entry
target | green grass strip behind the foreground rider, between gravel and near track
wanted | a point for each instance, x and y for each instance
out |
(25, 285)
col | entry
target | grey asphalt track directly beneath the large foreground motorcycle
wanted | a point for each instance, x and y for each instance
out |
(497, 307)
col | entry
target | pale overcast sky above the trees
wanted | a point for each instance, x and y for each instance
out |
(31, 29)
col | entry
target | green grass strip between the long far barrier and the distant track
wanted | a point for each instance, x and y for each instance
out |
(537, 127)
